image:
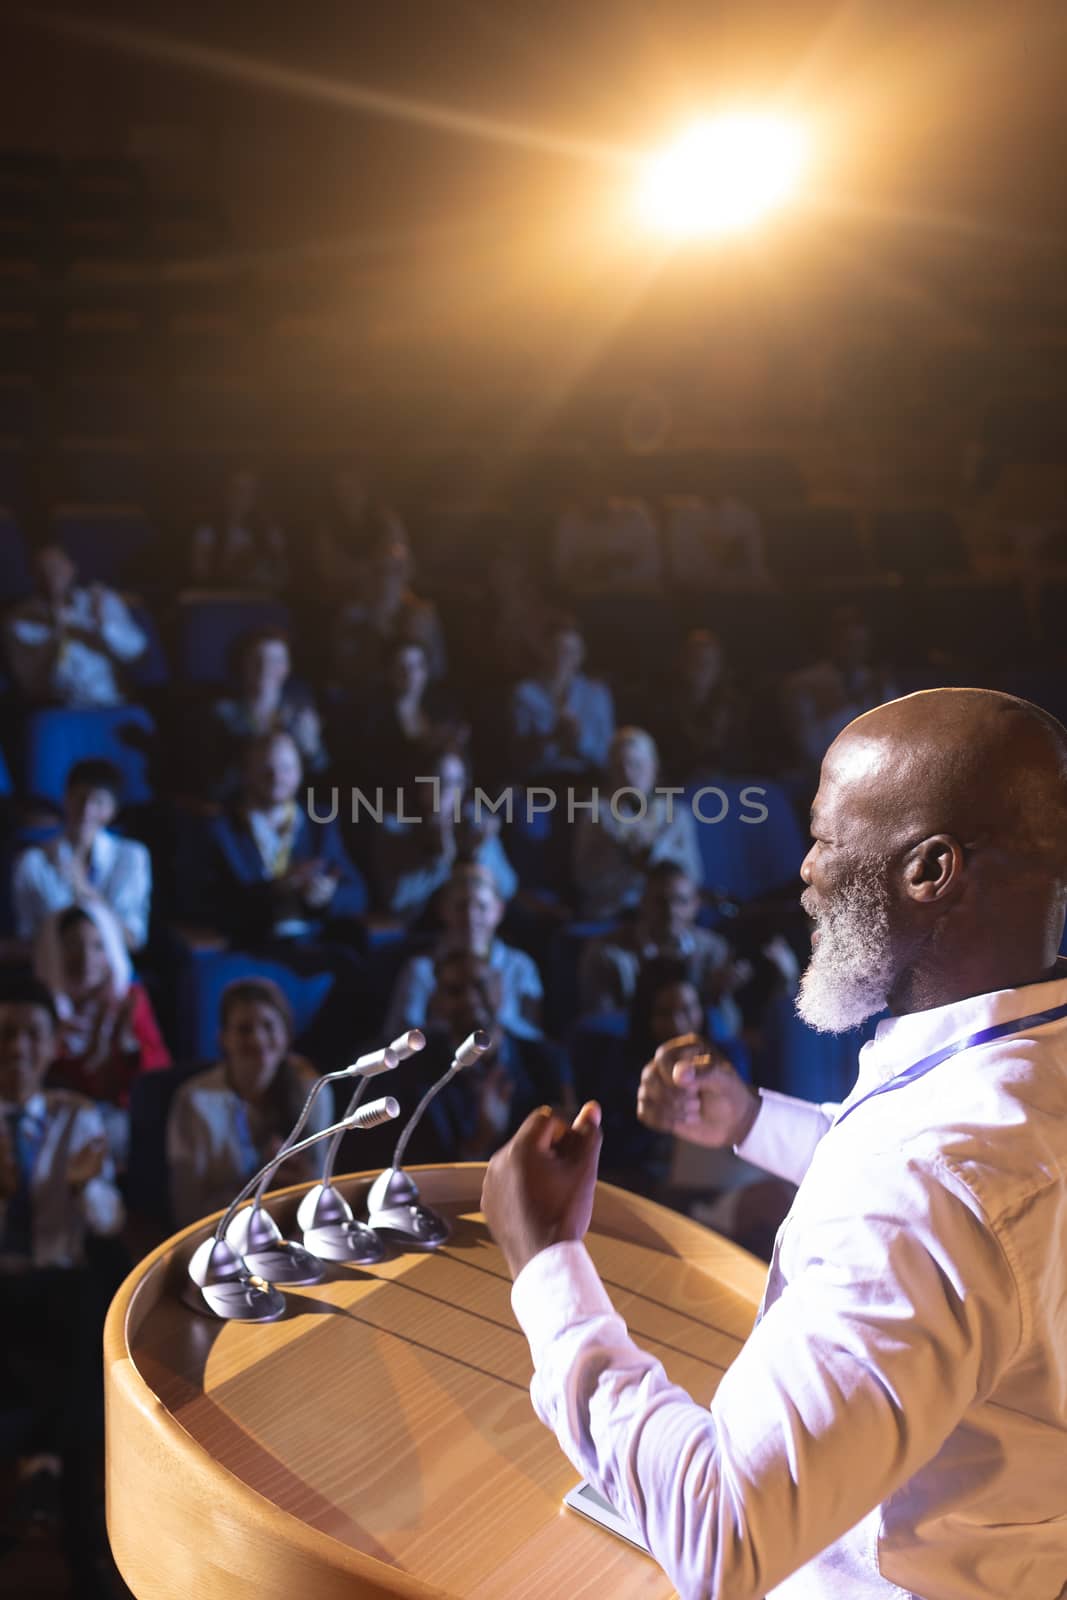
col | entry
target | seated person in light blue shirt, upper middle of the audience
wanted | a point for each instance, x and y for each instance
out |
(561, 721)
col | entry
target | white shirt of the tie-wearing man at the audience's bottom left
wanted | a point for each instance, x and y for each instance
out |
(62, 1217)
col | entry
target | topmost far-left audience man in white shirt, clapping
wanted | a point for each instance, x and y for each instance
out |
(70, 644)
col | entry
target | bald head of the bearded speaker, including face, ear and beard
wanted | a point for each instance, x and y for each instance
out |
(940, 857)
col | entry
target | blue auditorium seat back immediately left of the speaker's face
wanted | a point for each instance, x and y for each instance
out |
(748, 860)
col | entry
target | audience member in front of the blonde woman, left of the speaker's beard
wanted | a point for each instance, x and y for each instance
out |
(665, 927)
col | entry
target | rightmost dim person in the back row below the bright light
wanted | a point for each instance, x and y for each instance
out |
(714, 543)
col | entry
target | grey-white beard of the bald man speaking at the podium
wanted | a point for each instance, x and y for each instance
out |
(850, 974)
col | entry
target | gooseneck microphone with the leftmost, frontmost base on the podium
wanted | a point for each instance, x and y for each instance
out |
(220, 1279)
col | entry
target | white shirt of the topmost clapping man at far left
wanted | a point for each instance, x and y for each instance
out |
(76, 674)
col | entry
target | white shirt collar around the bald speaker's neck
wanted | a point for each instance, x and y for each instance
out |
(903, 1041)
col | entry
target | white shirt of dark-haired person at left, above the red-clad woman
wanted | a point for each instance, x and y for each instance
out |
(121, 871)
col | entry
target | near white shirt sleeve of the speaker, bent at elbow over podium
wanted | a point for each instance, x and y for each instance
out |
(900, 1311)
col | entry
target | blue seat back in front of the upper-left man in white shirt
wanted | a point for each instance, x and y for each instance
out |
(55, 740)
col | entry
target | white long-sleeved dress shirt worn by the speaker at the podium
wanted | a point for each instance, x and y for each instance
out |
(897, 1425)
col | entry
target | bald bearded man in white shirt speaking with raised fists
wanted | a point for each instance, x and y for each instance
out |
(897, 1423)
